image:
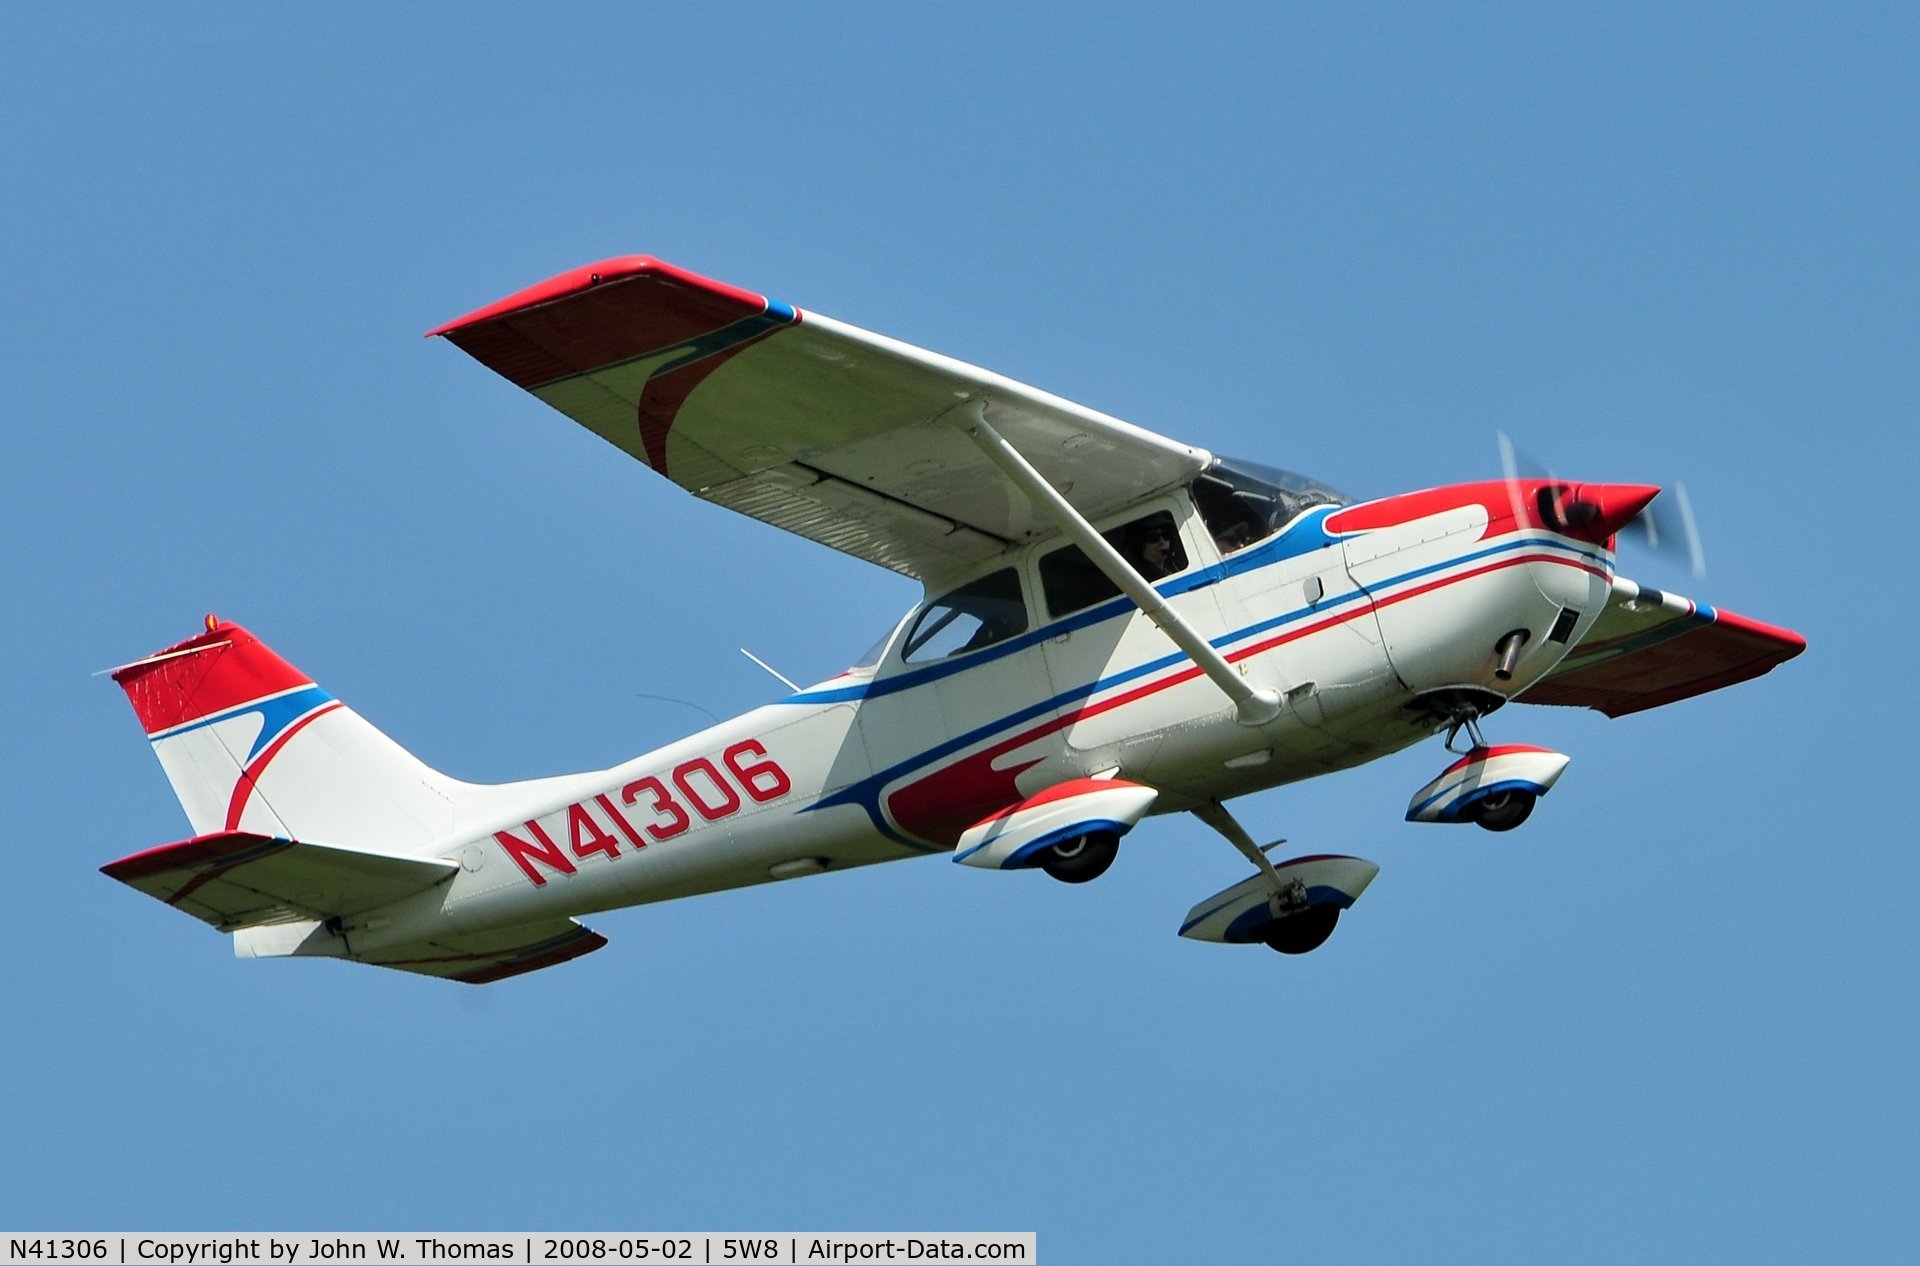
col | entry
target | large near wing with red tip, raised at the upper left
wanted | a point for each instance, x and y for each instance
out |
(804, 422)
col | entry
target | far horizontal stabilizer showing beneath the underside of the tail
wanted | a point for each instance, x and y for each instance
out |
(471, 958)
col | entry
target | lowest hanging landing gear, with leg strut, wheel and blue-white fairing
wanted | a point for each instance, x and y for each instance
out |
(1289, 908)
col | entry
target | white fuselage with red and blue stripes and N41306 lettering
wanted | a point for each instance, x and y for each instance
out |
(1355, 627)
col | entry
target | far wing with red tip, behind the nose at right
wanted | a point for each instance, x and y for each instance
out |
(1652, 648)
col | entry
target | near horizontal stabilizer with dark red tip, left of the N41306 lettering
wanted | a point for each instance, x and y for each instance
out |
(239, 879)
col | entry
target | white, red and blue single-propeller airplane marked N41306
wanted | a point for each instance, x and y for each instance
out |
(1115, 625)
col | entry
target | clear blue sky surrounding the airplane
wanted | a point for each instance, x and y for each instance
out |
(1673, 1019)
